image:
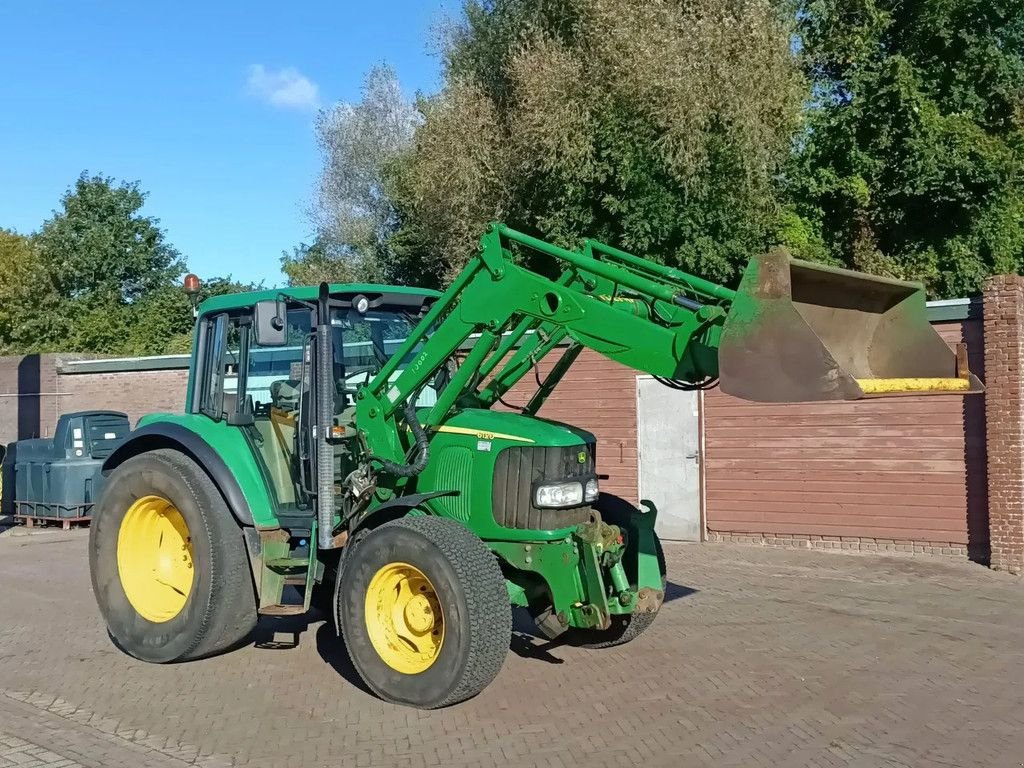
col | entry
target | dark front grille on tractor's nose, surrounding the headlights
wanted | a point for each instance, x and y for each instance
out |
(519, 468)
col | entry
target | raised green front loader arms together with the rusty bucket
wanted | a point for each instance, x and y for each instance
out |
(793, 332)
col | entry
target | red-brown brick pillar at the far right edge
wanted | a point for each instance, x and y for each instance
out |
(1004, 324)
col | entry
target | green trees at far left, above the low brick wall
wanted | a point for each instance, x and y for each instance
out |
(98, 278)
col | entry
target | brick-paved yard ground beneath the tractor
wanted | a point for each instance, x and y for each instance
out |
(762, 658)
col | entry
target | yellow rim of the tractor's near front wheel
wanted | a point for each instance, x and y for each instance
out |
(405, 619)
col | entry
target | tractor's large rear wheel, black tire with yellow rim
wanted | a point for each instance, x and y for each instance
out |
(168, 562)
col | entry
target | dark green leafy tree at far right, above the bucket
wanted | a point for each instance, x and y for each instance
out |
(913, 164)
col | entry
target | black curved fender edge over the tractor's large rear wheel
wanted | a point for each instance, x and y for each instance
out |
(167, 436)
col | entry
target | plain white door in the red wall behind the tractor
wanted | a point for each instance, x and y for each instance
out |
(669, 445)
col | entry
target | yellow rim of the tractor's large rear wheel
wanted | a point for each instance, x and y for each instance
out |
(155, 559)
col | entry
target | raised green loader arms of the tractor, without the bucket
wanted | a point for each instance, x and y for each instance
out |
(649, 323)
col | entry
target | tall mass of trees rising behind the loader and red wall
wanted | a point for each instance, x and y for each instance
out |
(878, 135)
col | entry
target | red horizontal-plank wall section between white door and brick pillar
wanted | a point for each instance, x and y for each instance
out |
(898, 472)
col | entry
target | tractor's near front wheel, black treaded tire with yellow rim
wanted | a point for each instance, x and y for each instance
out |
(424, 612)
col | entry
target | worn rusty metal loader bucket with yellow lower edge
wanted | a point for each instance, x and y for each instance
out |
(802, 332)
